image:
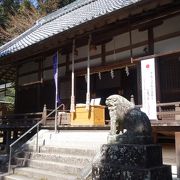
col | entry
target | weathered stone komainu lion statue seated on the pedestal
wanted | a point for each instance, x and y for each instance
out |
(124, 115)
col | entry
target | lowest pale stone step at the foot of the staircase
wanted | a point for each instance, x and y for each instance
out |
(39, 174)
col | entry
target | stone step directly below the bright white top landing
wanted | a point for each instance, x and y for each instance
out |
(63, 150)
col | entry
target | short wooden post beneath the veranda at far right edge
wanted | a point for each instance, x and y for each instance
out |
(177, 141)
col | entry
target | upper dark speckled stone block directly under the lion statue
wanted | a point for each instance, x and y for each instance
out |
(128, 155)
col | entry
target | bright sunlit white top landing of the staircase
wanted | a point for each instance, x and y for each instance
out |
(92, 139)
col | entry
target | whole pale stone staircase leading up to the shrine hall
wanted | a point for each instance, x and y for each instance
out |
(67, 155)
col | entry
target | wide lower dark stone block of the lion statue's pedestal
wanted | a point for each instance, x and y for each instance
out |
(113, 172)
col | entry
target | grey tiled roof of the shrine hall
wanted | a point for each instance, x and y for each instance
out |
(68, 17)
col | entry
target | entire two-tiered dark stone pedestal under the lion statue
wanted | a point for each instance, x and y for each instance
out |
(131, 162)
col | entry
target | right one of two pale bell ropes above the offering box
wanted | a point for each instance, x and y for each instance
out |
(88, 76)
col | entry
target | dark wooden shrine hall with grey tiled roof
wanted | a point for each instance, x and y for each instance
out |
(99, 45)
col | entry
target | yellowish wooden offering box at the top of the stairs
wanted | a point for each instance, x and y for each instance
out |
(95, 115)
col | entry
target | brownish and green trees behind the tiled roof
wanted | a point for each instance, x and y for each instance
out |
(15, 18)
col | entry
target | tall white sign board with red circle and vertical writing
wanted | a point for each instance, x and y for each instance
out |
(148, 88)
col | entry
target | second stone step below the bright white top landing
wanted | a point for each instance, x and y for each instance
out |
(62, 158)
